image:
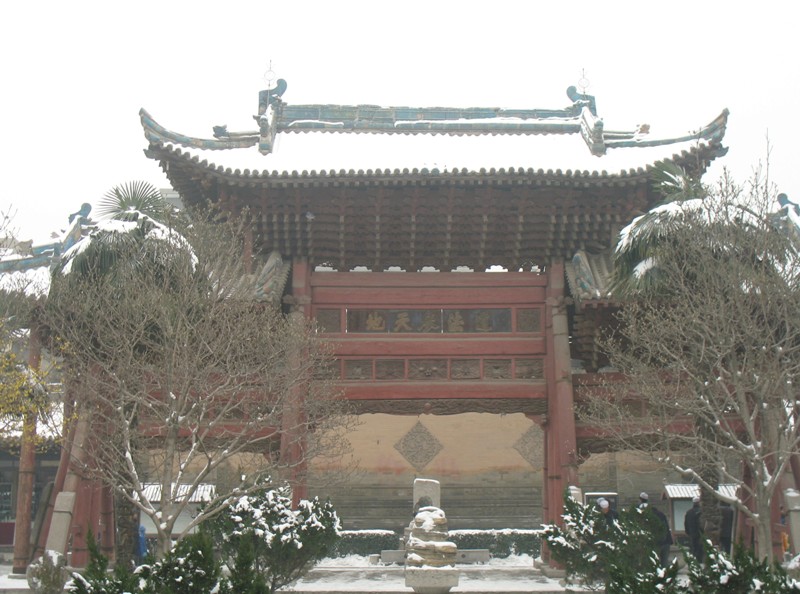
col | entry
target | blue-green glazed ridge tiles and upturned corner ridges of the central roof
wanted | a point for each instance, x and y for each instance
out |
(274, 117)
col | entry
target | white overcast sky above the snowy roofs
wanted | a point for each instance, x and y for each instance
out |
(74, 75)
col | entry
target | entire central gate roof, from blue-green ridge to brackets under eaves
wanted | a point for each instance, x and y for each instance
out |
(348, 186)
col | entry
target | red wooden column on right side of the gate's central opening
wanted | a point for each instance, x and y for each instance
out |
(560, 468)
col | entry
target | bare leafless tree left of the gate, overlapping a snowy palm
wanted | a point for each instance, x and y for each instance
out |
(182, 376)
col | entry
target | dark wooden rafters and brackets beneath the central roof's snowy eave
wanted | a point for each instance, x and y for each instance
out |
(414, 219)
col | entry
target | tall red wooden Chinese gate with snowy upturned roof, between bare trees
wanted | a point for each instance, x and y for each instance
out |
(391, 219)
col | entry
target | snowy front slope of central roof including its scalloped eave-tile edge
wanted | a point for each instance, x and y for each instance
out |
(374, 156)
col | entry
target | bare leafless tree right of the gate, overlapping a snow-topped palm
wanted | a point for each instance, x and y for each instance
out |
(709, 347)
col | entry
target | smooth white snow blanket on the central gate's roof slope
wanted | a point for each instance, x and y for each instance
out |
(327, 152)
